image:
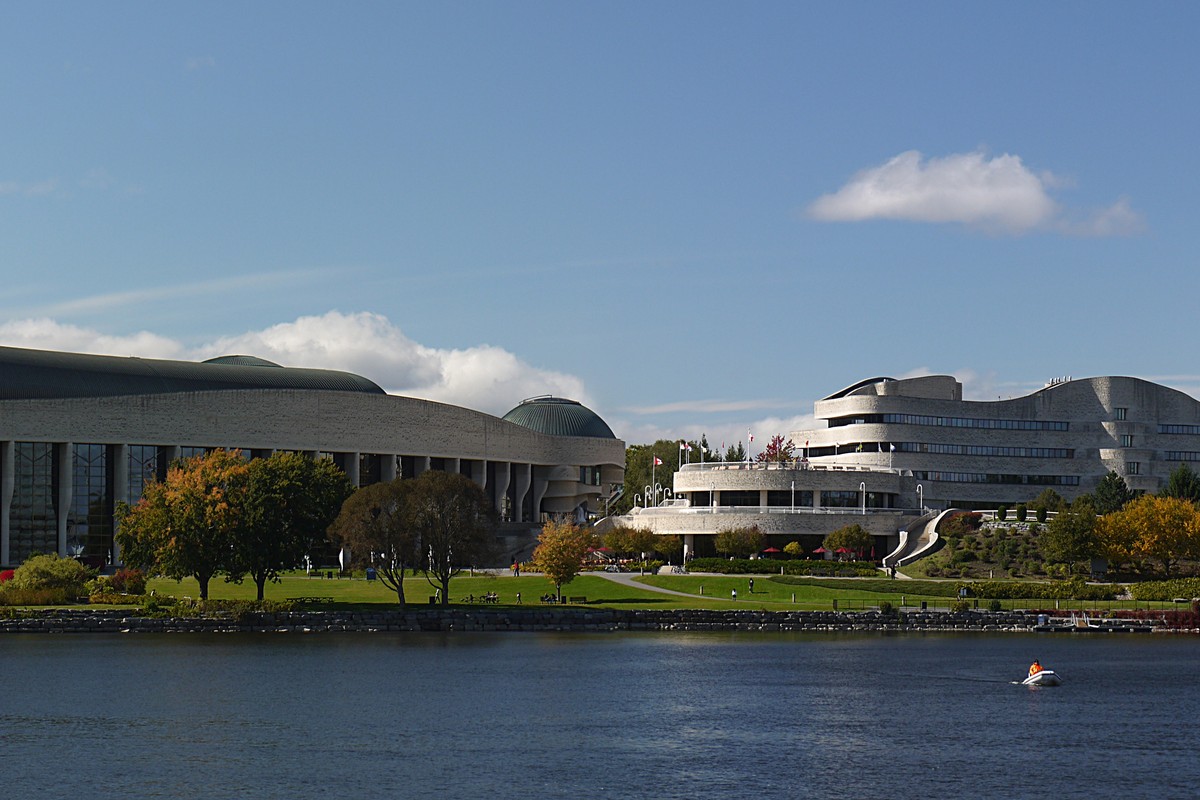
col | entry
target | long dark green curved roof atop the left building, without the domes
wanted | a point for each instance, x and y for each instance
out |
(33, 375)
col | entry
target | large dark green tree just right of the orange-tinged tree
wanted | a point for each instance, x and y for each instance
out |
(289, 503)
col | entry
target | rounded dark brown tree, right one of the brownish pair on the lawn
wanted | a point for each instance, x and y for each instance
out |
(454, 522)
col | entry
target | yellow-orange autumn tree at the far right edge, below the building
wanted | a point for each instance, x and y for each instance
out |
(1159, 528)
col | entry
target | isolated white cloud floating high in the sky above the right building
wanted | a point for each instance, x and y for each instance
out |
(999, 195)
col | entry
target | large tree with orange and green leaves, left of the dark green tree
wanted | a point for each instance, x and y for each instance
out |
(184, 527)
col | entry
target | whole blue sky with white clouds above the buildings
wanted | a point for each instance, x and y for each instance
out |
(694, 218)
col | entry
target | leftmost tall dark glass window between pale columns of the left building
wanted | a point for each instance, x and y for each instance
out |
(34, 519)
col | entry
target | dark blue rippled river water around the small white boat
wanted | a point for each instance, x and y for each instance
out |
(625, 715)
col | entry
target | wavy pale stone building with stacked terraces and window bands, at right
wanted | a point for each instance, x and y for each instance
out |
(893, 450)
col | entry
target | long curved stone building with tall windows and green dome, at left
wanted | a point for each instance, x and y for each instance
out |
(81, 434)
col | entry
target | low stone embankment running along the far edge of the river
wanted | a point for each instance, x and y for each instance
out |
(556, 619)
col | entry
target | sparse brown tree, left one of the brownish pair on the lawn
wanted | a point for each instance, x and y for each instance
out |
(374, 526)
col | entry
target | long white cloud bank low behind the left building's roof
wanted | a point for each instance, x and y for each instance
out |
(485, 378)
